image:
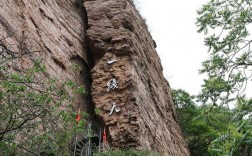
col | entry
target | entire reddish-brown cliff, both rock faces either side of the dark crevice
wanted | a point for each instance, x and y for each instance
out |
(119, 65)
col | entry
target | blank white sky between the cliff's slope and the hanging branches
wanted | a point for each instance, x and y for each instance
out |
(180, 47)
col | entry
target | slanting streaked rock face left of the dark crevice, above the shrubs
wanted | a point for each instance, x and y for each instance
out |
(56, 29)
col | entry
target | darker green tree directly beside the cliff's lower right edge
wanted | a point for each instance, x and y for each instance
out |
(195, 123)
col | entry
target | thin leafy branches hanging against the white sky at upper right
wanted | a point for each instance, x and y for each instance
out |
(226, 25)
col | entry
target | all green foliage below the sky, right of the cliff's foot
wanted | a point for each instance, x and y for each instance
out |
(214, 130)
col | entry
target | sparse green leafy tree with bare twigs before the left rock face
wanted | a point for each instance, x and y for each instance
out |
(36, 115)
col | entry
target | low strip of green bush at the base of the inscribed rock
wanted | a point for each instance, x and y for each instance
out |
(126, 153)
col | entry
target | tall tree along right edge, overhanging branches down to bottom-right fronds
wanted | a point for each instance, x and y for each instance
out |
(226, 24)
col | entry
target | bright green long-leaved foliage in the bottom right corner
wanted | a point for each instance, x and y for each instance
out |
(237, 138)
